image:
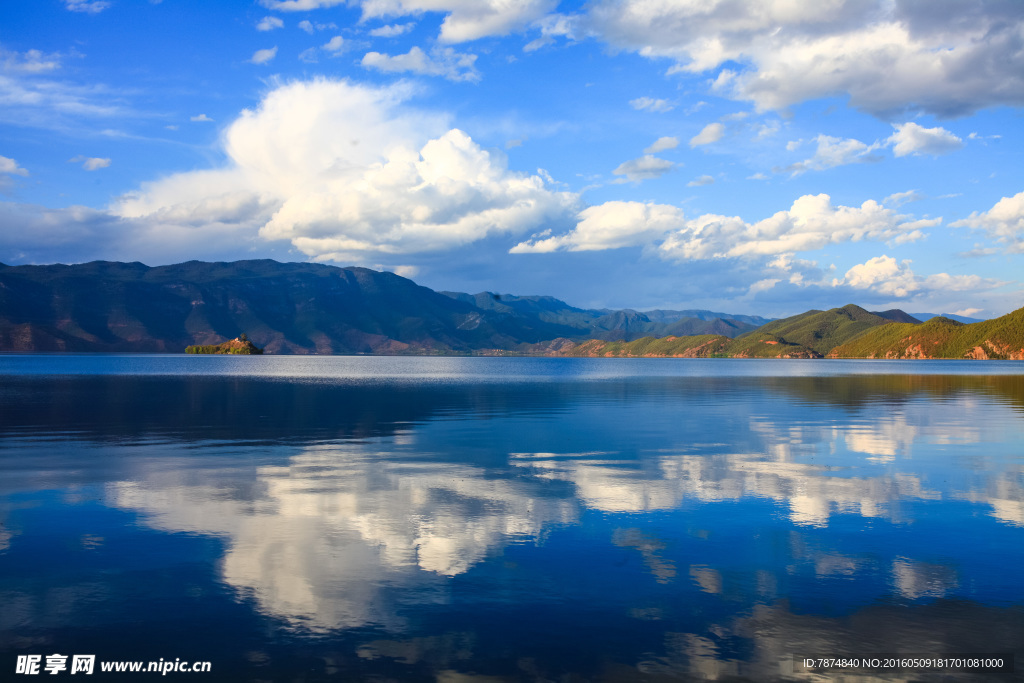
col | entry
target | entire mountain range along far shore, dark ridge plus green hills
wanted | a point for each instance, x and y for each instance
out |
(316, 309)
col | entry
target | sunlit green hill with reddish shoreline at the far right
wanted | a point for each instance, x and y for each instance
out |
(942, 338)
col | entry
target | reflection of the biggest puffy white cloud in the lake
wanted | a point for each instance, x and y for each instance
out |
(319, 541)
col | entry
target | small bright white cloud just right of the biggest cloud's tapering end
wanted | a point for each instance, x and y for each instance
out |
(610, 226)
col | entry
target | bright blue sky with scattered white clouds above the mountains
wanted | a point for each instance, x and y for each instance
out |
(756, 157)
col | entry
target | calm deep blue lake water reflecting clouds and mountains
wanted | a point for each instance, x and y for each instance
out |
(509, 520)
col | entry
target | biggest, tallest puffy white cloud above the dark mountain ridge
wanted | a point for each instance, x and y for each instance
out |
(347, 173)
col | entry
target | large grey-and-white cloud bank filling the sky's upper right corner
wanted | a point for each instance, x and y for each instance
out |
(885, 57)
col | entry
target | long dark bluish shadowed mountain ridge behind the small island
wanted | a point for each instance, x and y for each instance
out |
(286, 309)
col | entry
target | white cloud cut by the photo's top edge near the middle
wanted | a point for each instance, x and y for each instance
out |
(466, 20)
